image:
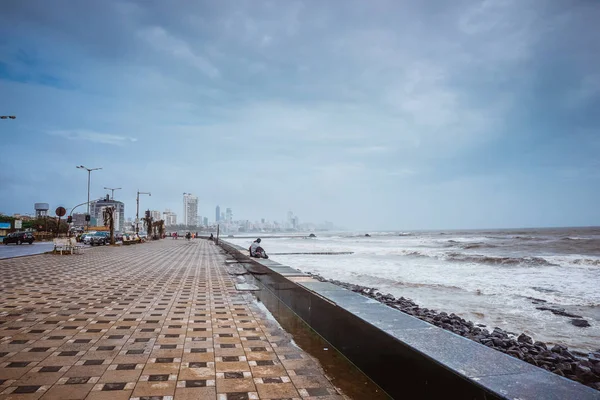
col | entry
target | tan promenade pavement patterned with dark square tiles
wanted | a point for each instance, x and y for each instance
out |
(161, 320)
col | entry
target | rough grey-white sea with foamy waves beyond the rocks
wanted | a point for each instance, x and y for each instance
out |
(498, 278)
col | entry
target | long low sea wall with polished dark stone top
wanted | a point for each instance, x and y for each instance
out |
(407, 357)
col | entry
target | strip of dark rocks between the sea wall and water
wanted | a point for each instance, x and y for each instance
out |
(574, 365)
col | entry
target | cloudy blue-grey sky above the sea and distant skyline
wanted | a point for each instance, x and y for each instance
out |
(381, 114)
